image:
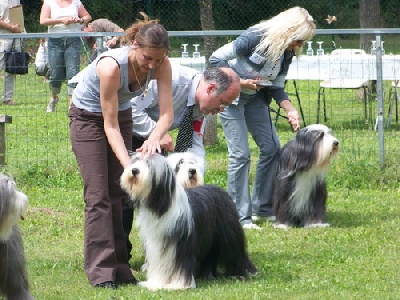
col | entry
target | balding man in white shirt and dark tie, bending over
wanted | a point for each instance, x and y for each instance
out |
(210, 92)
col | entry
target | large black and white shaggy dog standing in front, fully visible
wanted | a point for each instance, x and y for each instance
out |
(187, 234)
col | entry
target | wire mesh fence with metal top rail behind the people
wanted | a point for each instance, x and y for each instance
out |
(36, 138)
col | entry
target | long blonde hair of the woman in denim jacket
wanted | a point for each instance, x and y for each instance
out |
(294, 24)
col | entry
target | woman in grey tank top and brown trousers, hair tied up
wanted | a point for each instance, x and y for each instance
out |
(101, 136)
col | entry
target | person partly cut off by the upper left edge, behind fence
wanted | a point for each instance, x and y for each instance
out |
(5, 45)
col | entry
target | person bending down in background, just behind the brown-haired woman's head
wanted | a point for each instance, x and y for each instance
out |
(102, 25)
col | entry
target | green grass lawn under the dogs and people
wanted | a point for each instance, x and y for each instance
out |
(356, 258)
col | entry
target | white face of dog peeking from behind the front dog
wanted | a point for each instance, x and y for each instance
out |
(186, 166)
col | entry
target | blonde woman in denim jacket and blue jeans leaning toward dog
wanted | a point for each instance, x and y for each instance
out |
(262, 54)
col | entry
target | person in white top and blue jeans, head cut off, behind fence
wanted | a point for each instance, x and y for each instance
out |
(62, 16)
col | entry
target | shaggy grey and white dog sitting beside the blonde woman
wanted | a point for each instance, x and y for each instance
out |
(300, 192)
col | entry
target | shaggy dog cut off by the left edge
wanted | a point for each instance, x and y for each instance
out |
(13, 275)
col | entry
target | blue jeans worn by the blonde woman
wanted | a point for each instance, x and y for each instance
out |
(250, 115)
